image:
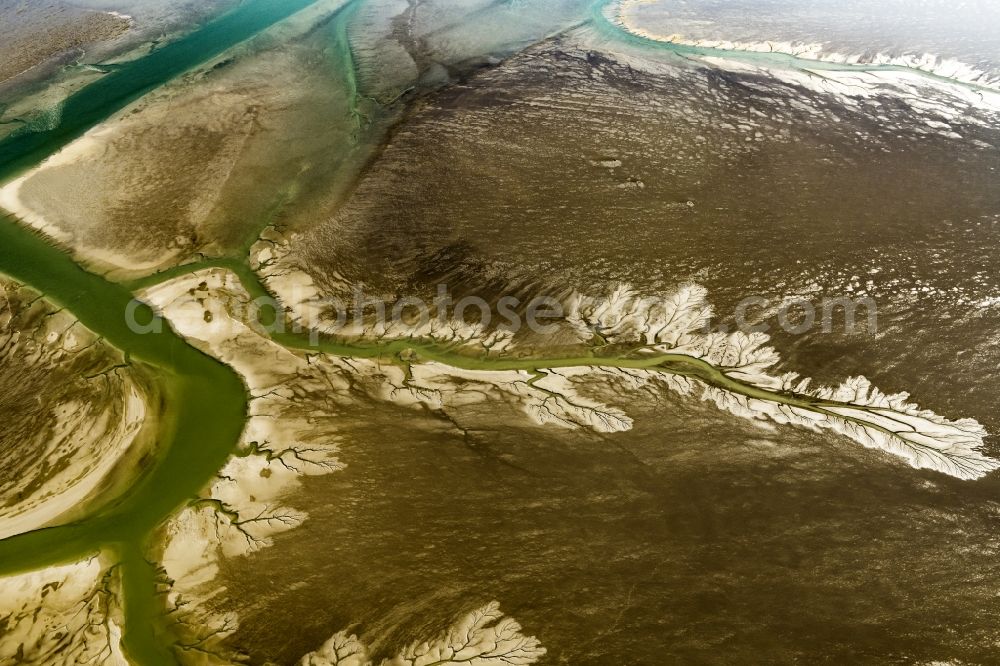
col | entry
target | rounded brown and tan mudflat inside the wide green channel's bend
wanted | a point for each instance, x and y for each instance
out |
(74, 410)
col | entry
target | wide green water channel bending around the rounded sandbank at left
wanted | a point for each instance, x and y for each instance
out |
(208, 401)
